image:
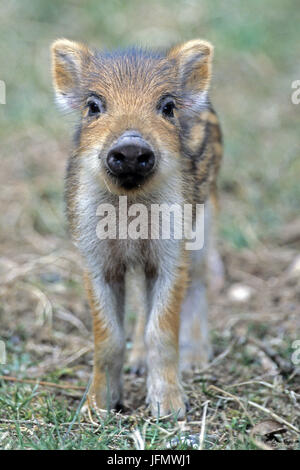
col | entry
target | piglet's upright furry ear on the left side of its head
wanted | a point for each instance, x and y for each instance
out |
(68, 60)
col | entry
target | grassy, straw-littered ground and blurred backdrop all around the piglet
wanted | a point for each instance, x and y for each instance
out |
(252, 385)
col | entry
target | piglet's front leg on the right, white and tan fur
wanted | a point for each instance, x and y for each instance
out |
(165, 393)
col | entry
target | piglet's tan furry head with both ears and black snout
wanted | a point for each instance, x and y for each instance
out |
(133, 107)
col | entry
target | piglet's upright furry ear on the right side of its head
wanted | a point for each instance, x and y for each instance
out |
(193, 60)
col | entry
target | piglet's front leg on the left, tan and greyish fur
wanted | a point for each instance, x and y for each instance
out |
(106, 303)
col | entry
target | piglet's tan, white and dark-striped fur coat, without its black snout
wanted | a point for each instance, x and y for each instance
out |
(129, 88)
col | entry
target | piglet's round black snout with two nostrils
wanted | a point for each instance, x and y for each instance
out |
(132, 155)
